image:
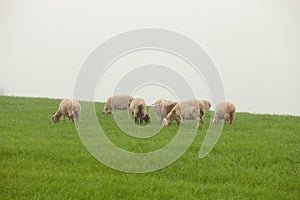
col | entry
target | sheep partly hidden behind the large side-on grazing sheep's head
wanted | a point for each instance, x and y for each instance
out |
(162, 107)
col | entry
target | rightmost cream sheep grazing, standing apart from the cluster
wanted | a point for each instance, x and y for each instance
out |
(225, 111)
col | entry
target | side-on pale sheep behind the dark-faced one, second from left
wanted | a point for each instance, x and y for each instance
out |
(117, 102)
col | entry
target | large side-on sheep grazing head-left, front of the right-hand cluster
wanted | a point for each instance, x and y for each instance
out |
(191, 109)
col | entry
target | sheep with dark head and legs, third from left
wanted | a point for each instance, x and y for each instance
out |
(138, 110)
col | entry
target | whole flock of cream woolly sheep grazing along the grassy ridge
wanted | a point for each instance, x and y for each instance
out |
(166, 110)
